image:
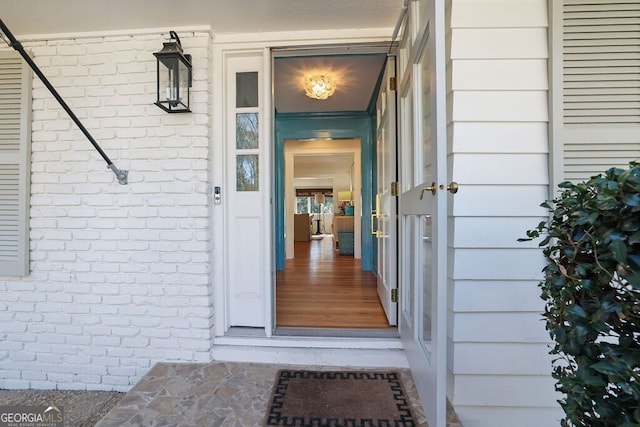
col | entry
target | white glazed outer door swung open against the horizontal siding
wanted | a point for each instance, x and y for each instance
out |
(423, 210)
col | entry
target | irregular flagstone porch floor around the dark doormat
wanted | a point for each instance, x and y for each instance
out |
(211, 394)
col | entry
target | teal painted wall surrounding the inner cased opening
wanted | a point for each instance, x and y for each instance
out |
(350, 125)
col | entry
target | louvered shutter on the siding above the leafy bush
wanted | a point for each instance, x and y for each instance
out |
(600, 85)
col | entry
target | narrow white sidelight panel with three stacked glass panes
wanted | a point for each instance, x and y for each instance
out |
(248, 273)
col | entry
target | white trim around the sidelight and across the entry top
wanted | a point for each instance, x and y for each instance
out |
(257, 46)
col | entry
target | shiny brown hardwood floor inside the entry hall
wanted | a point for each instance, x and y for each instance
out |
(320, 288)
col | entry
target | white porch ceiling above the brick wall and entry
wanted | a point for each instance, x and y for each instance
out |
(224, 16)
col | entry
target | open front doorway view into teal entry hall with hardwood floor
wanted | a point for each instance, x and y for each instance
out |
(313, 278)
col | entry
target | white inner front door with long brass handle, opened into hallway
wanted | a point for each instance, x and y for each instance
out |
(384, 222)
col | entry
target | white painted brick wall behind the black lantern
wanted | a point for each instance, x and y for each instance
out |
(119, 274)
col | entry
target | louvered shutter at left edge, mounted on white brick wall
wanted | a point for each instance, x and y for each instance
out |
(15, 117)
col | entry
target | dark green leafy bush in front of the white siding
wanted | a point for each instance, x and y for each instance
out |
(592, 291)
